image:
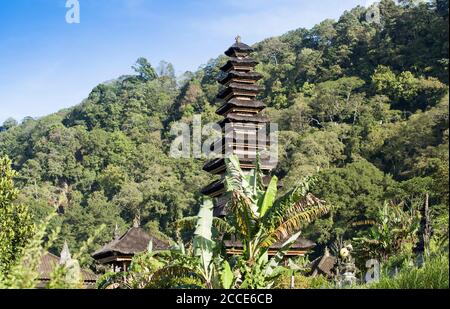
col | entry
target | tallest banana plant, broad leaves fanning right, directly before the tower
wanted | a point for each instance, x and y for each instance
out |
(261, 219)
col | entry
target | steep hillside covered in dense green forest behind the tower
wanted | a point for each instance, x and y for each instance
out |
(361, 106)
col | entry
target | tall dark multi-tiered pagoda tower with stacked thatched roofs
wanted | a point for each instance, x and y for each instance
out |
(243, 125)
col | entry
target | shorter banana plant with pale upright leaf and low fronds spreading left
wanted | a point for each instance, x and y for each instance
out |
(202, 262)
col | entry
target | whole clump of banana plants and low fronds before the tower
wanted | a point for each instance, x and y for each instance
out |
(204, 265)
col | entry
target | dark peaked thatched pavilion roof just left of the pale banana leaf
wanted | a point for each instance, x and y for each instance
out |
(134, 241)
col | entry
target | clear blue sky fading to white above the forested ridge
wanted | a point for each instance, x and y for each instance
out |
(47, 64)
